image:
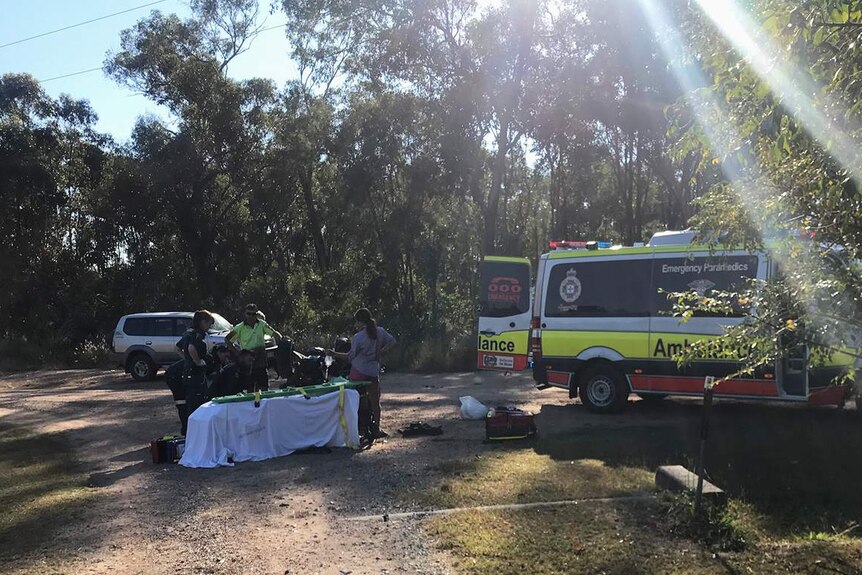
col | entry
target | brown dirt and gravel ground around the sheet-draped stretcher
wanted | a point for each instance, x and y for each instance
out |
(287, 515)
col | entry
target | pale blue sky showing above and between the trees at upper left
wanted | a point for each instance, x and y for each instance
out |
(84, 47)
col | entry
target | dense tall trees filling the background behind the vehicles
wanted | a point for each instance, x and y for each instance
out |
(418, 136)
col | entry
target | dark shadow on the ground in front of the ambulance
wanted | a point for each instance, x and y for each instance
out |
(797, 465)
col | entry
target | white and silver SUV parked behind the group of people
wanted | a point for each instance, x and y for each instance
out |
(143, 342)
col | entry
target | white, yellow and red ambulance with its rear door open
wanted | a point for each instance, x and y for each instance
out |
(598, 325)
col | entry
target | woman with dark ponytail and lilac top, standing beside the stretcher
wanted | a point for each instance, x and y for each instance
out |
(365, 349)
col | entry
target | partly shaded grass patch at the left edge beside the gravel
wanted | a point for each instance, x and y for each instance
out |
(41, 491)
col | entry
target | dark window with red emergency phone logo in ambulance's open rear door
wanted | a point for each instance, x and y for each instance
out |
(504, 289)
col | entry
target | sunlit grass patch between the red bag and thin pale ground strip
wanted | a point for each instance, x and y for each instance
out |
(523, 476)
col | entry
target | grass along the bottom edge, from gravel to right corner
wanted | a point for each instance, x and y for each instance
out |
(616, 539)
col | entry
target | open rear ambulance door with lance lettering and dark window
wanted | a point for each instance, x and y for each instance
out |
(504, 313)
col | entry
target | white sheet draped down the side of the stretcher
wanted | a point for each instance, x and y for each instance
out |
(280, 426)
